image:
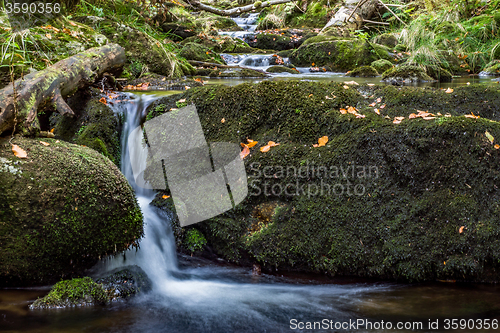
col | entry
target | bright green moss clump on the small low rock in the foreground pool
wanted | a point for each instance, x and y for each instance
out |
(71, 293)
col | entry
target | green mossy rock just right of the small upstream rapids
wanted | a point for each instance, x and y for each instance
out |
(340, 55)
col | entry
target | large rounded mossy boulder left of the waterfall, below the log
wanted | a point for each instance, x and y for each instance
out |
(62, 208)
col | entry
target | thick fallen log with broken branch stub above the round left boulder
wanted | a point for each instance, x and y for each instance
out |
(20, 101)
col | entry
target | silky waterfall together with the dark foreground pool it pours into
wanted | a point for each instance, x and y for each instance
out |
(193, 295)
